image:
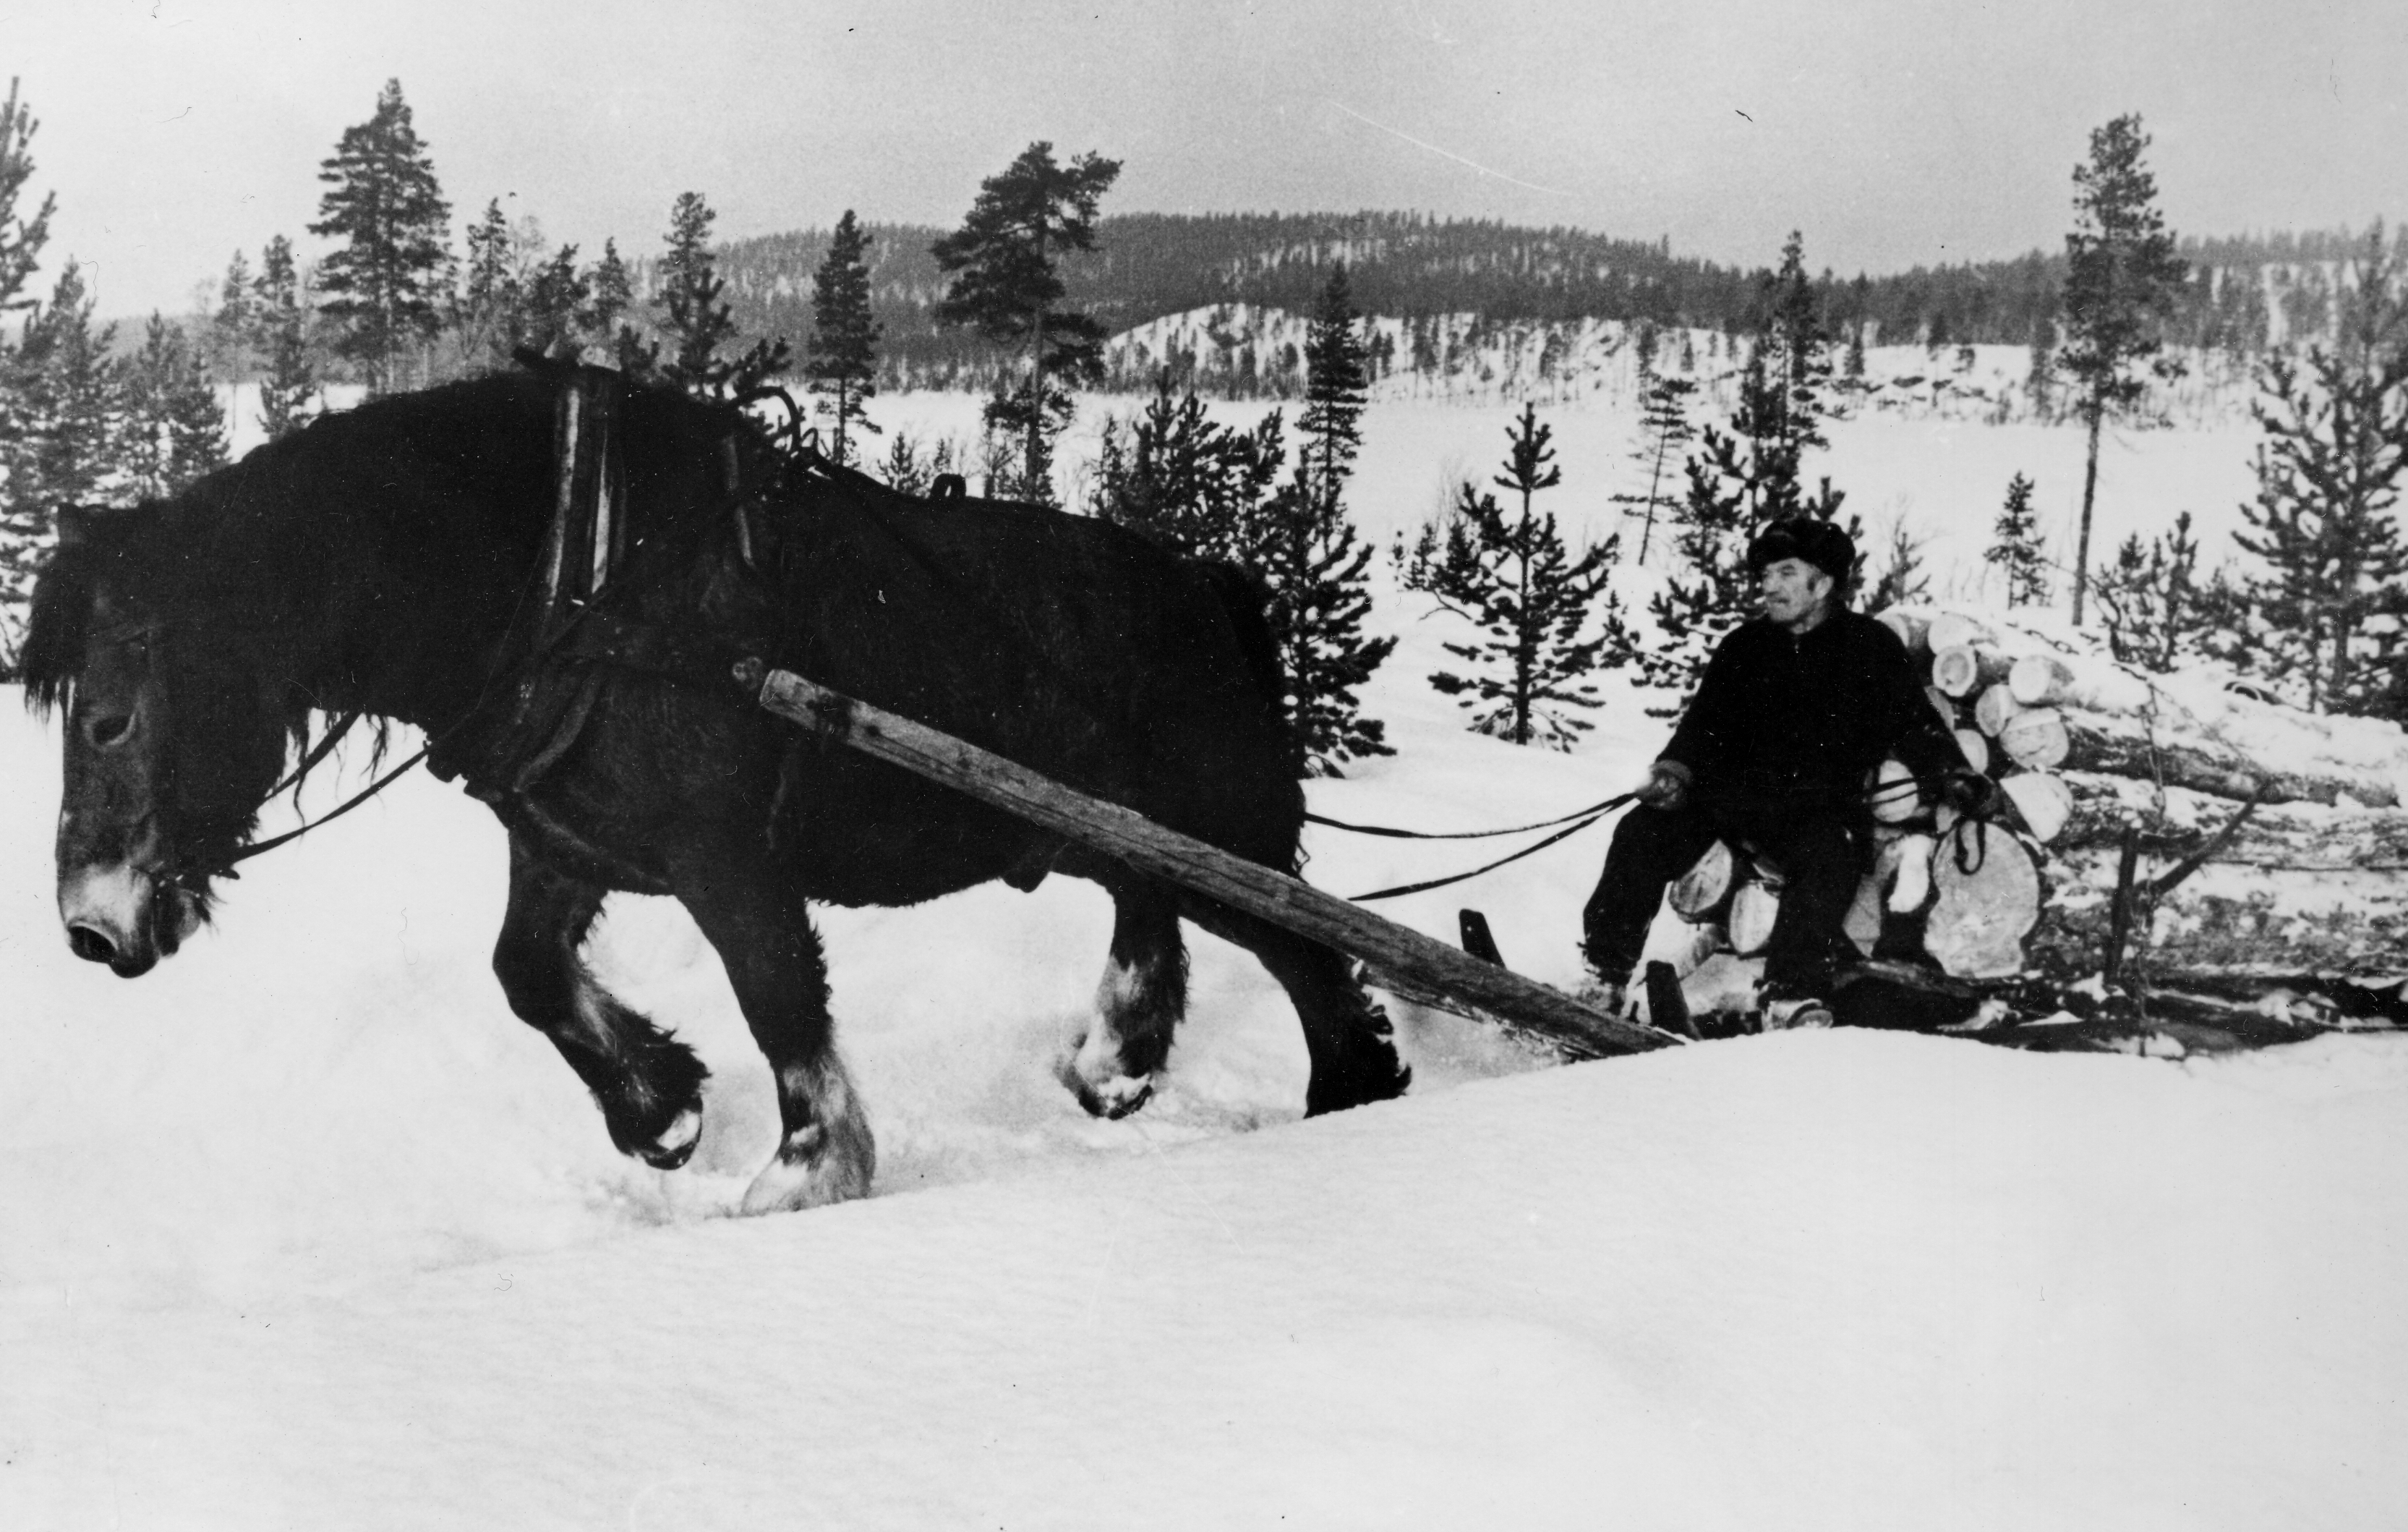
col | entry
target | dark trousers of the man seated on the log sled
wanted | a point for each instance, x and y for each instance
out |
(1822, 861)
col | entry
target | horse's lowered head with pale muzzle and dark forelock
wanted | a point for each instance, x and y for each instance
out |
(172, 733)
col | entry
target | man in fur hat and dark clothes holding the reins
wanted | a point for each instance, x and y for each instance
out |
(1773, 758)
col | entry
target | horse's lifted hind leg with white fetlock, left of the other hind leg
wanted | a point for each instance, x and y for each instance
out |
(1138, 1006)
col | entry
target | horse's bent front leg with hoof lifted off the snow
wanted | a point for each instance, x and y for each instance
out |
(647, 1083)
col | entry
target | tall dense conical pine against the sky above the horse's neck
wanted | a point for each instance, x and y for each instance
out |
(384, 204)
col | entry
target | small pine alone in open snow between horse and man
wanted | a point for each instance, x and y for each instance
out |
(1521, 587)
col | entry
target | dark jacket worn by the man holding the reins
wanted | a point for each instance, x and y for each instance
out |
(1793, 724)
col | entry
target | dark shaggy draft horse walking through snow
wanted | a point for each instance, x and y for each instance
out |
(372, 565)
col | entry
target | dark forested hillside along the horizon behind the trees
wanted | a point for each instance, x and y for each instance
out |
(2245, 290)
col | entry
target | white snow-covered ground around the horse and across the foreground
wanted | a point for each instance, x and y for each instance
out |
(305, 1230)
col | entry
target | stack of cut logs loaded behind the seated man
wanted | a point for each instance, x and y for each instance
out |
(2123, 820)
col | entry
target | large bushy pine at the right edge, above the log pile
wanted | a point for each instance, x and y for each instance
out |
(2335, 444)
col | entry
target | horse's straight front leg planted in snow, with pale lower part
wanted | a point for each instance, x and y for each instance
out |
(762, 929)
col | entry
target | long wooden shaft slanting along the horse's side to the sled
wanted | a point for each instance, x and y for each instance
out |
(1191, 864)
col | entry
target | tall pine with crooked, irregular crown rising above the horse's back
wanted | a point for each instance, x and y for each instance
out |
(1005, 285)
